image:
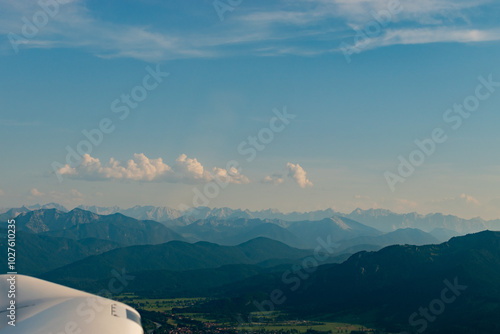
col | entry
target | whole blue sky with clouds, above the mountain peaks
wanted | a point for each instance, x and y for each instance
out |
(353, 117)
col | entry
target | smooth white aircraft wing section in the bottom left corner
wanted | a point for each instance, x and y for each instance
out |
(42, 307)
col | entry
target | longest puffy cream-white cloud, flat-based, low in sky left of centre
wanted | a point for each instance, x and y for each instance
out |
(141, 168)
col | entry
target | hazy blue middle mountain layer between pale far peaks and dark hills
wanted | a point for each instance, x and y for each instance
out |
(346, 234)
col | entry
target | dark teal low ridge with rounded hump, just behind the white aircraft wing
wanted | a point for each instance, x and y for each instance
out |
(174, 256)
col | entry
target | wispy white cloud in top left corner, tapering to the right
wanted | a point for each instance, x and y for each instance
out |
(75, 26)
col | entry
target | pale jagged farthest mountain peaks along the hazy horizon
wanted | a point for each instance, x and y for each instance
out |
(438, 224)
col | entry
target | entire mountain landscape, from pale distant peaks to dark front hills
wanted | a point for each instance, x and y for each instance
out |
(381, 269)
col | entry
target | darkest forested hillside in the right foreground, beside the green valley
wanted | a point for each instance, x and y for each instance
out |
(388, 286)
